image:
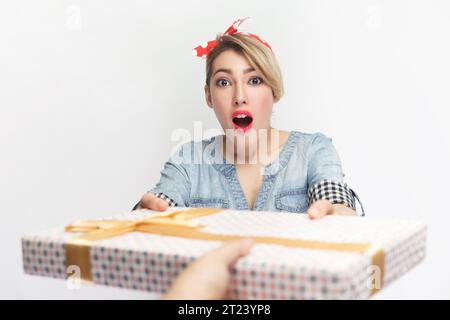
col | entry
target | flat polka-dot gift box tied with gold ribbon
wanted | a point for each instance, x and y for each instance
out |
(337, 257)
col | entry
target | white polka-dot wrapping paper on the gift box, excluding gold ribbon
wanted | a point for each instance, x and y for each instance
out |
(150, 262)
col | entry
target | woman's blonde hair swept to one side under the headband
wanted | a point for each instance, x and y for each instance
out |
(260, 57)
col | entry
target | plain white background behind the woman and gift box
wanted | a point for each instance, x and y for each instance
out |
(91, 91)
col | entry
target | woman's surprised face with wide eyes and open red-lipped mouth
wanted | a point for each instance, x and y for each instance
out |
(238, 95)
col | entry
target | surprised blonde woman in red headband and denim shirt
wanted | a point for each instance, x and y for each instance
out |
(253, 166)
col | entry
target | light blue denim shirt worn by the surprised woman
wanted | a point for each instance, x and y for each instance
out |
(196, 175)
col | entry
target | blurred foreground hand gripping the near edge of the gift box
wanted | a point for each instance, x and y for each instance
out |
(208, 277)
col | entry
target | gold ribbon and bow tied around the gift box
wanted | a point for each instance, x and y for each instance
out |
(177, 224)
